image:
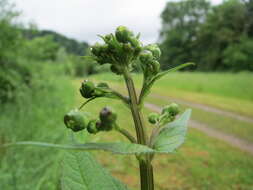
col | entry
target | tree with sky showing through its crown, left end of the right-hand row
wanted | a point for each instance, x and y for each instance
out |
(180, 24)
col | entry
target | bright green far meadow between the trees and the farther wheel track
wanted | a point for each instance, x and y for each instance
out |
(228, 91)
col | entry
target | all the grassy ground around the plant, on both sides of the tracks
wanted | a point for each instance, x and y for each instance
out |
(203, 162)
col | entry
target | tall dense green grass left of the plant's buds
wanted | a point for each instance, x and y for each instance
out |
(37, 116)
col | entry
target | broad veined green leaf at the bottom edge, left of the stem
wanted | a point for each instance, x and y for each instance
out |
(82, 172)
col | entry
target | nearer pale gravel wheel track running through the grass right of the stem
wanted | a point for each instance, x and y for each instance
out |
(232, 140)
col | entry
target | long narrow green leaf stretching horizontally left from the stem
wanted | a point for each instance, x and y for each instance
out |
(117, 148)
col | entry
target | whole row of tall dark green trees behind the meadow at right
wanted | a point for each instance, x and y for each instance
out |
(216, 38)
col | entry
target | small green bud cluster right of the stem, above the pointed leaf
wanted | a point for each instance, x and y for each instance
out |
(168, 114)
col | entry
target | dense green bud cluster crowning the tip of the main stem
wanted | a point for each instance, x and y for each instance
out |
(118, 50)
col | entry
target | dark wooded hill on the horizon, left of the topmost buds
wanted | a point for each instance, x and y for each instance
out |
(71, 45)
